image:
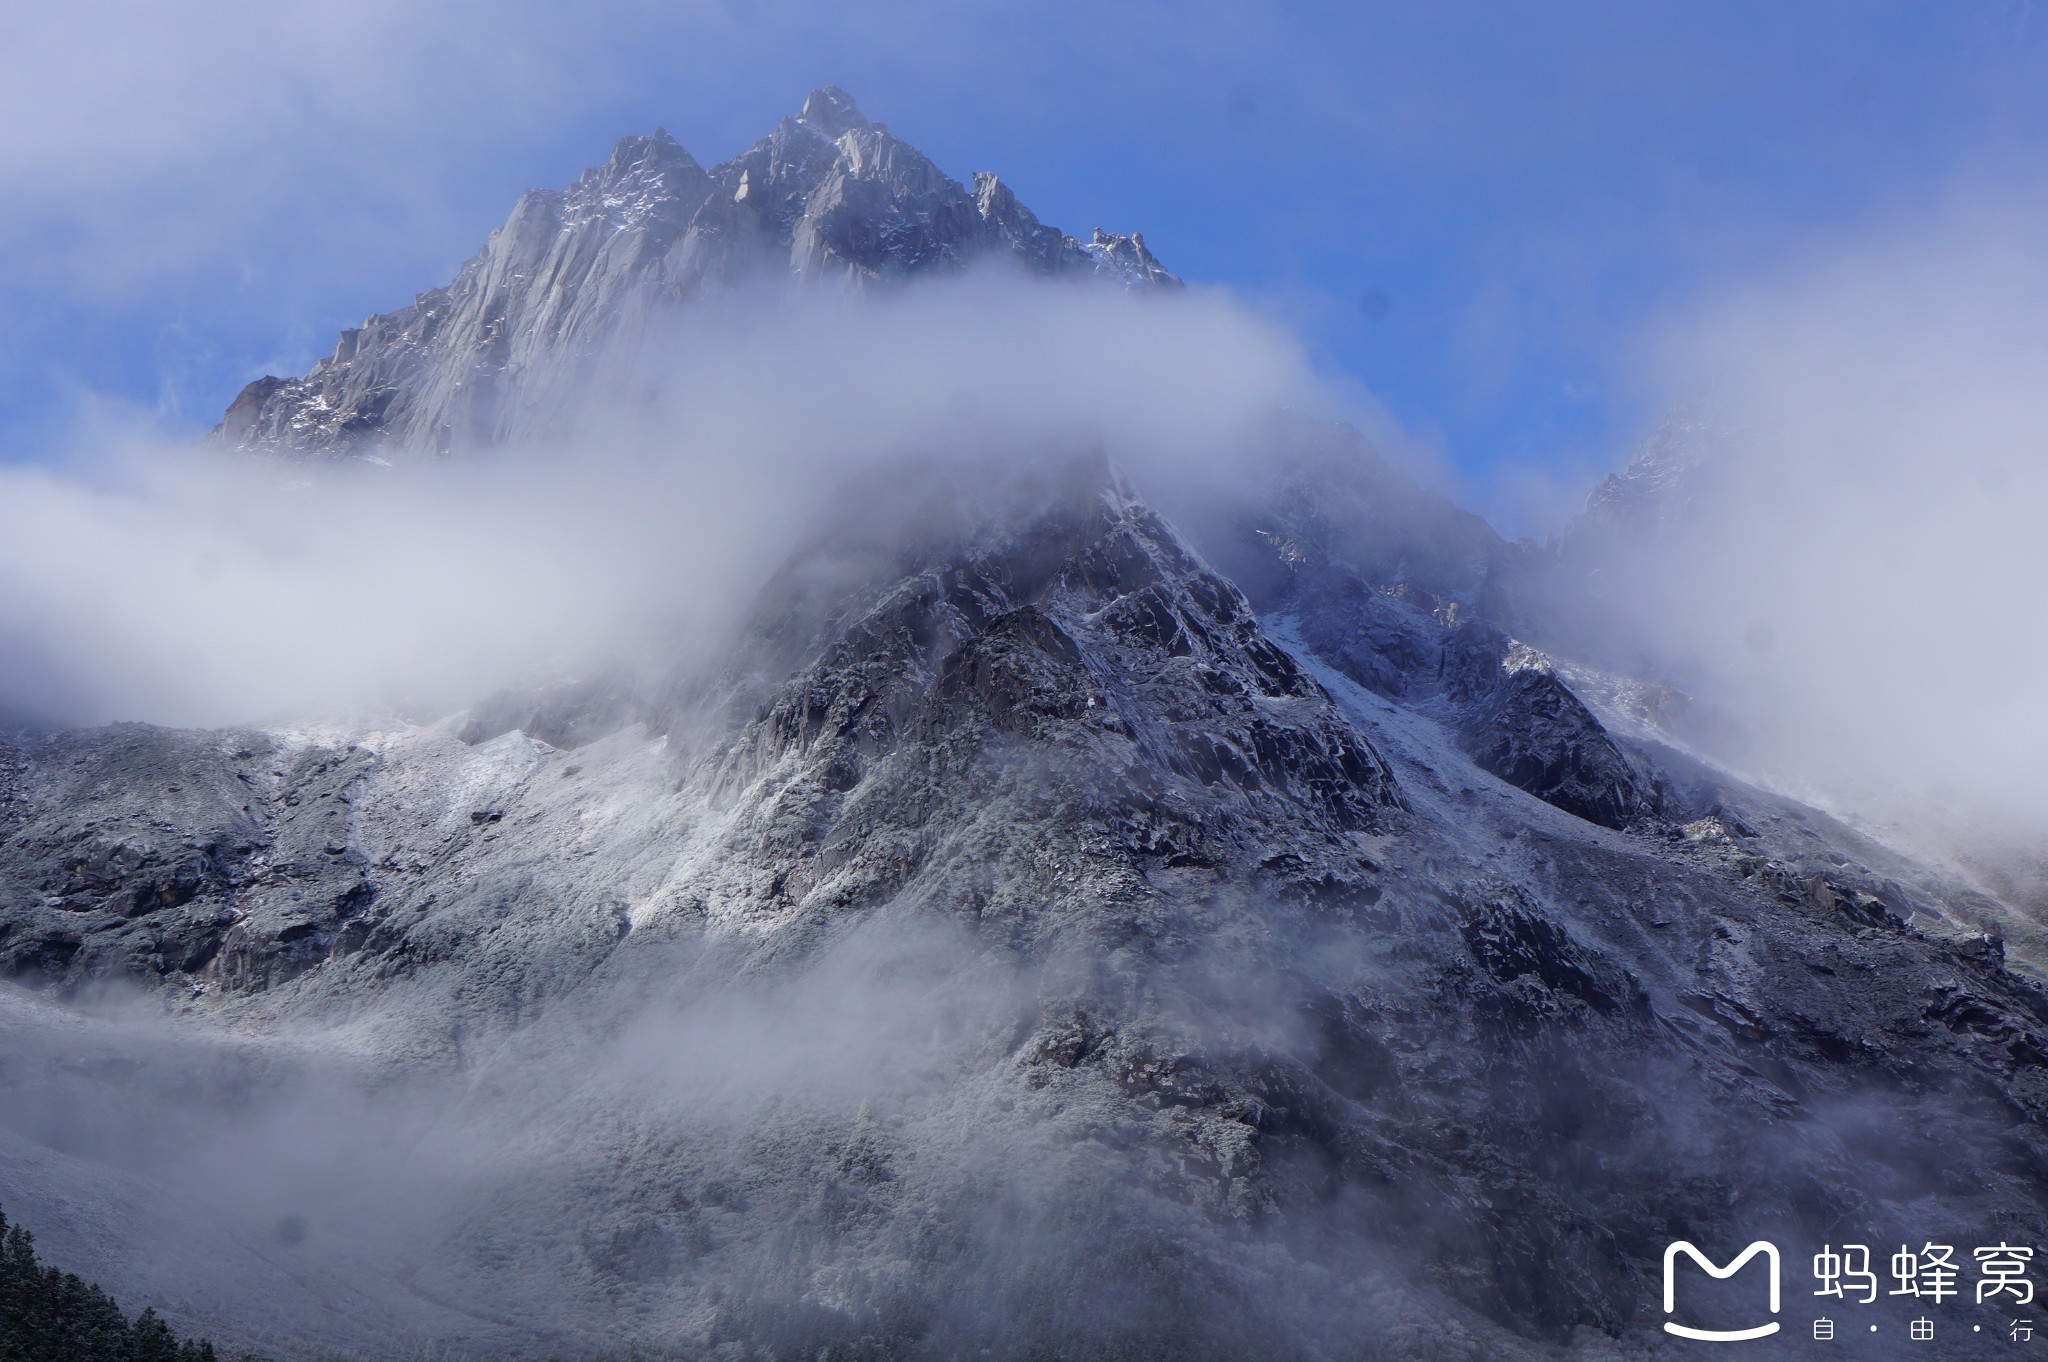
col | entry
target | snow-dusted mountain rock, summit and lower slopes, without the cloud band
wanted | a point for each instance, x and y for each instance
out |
(1195, 933)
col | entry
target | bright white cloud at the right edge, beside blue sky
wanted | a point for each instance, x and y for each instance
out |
(1863, 583)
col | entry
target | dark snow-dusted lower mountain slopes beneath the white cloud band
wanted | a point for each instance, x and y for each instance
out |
(1254, 953)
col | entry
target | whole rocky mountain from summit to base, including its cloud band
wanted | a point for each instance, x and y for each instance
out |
(890, 788)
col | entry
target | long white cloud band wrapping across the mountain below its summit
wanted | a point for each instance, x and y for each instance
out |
(179, 589)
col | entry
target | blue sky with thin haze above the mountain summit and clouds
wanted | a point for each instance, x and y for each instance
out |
(1484, 216)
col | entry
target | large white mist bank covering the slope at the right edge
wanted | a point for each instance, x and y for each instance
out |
(1832, 546)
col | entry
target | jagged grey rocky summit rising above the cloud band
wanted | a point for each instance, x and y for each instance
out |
(579, 275)
